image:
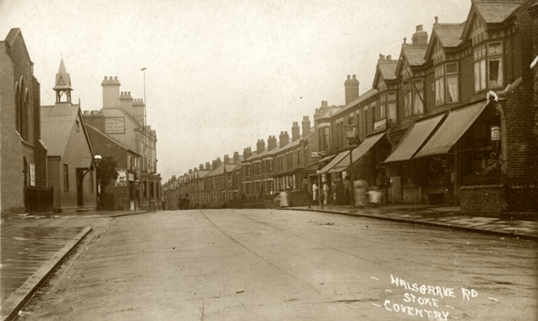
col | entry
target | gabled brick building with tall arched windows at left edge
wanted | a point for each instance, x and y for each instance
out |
(23, 157)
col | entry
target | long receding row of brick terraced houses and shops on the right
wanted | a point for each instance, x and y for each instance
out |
(451, 120)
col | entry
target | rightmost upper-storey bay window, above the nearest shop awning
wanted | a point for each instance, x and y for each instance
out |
(488, 69)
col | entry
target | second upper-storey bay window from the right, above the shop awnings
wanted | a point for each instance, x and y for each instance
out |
(446, 83)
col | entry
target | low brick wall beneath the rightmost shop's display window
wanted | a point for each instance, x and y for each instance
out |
(487, 200)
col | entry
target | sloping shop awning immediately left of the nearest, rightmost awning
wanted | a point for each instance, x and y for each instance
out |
(413, 139)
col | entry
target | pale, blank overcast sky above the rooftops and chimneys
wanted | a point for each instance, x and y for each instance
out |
(219, 74)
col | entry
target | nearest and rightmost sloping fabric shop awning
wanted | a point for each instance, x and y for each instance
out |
(456, 124)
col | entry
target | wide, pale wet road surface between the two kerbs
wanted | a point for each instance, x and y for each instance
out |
(289, 265)
